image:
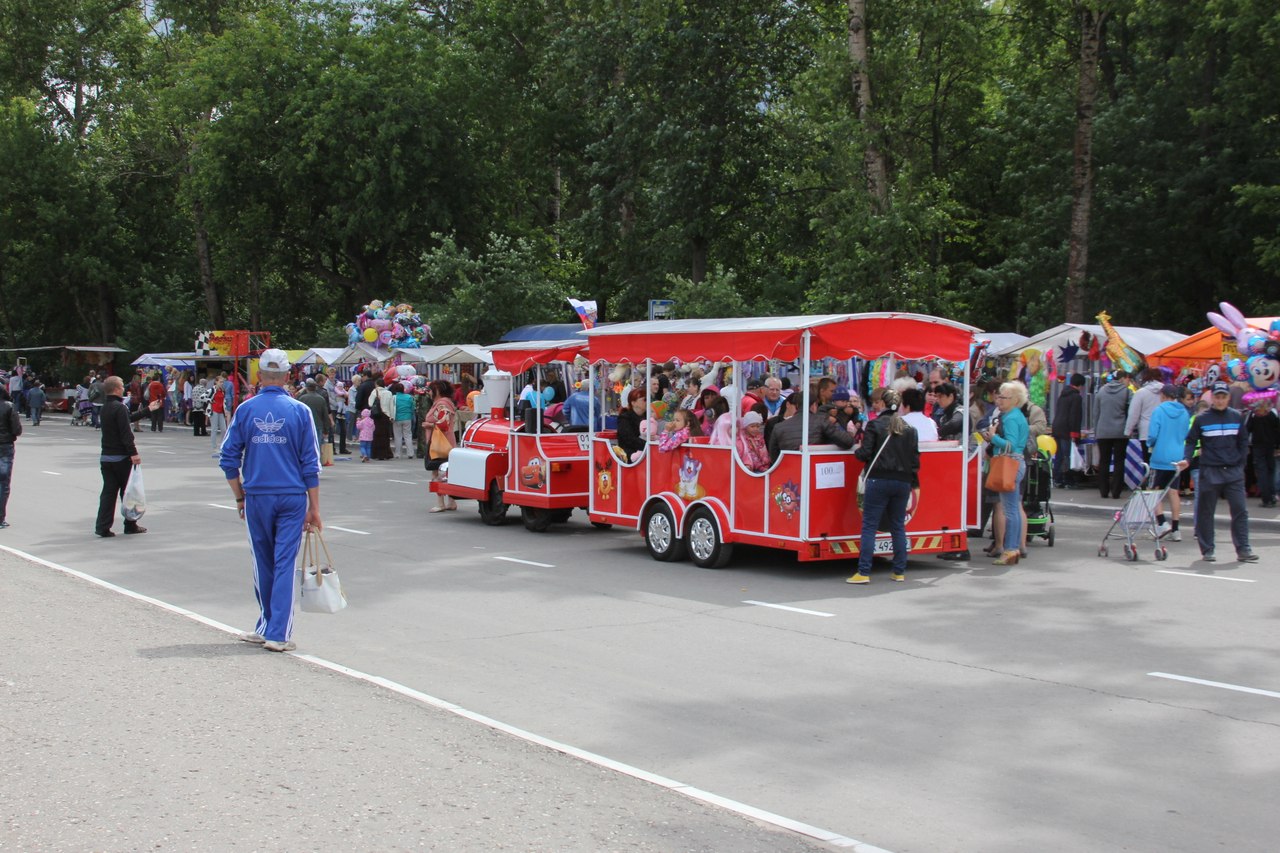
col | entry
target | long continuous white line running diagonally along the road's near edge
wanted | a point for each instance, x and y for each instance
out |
(835, 840)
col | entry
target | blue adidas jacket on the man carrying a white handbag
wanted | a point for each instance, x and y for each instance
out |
(275, 437)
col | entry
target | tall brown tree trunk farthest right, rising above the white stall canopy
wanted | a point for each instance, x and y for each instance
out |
(1082, 166)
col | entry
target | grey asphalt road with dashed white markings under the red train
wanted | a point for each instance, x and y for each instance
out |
(971, 709)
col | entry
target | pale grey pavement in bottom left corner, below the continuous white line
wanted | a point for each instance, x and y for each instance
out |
(132, 728)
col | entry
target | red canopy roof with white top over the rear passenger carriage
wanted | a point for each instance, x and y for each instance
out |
(839, 336)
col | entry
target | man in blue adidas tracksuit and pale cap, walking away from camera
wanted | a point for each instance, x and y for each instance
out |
(273, 437)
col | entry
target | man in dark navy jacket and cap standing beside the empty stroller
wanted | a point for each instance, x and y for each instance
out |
(1224, 448)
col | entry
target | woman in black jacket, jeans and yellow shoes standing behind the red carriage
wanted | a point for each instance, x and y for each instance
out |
(892, 453)
